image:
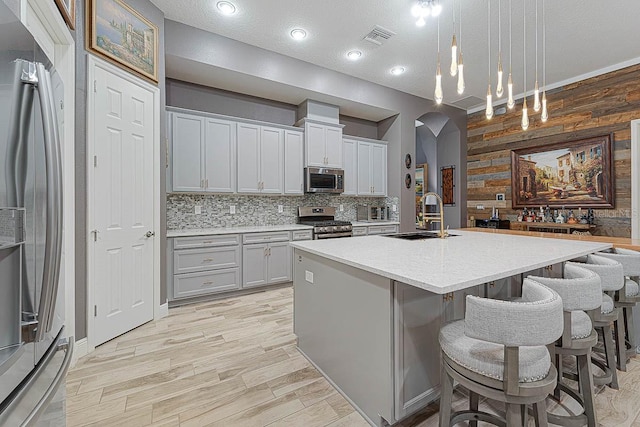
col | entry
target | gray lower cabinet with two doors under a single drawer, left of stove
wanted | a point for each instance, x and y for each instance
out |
(266, 259)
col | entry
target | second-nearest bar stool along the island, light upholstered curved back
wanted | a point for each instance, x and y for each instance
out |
(581, 293)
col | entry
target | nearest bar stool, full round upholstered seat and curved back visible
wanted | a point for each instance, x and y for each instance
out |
(499, 351)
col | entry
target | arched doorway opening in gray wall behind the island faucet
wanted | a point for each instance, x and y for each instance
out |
(438, 145)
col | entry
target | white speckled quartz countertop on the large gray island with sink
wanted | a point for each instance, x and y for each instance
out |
(446, 265)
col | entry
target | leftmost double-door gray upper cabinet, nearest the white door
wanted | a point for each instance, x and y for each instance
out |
(203, 154)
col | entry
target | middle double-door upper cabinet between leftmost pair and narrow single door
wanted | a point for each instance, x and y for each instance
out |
(260, 159)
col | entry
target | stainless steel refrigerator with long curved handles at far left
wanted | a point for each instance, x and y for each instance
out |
(34, 350)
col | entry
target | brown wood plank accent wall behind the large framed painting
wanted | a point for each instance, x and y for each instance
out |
(596, 106)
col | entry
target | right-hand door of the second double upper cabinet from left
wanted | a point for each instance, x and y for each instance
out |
(271, 158)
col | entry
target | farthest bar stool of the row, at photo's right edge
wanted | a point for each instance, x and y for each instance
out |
(628, 299)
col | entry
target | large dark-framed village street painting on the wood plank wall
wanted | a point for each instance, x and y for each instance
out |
(576, 174)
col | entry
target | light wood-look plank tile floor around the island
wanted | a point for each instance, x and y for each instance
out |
(233, 362)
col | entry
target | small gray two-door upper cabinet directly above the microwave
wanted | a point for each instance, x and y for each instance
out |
(323, 145)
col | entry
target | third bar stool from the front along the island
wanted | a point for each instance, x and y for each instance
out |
(612, 279)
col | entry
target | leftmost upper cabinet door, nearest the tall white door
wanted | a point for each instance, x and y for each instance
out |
(186, 136)
